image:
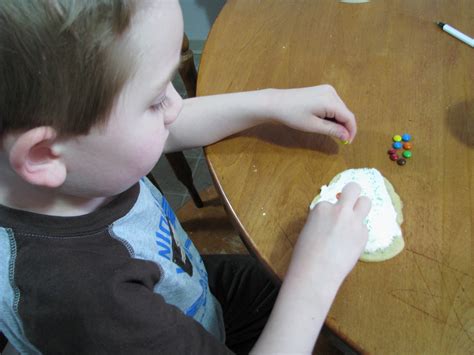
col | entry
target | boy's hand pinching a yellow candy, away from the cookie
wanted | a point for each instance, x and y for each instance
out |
(316, 109)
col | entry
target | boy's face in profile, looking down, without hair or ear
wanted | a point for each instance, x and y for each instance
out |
(112, 158)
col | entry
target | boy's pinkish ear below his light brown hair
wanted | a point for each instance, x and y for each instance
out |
(33, 157)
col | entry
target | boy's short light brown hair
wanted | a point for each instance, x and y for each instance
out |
(62, 63)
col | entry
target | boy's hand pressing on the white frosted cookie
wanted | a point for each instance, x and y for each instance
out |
(335, 234)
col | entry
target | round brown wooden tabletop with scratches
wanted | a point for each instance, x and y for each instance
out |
(398, 72)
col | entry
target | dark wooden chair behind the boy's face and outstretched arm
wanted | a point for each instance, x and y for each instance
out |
(177, 160)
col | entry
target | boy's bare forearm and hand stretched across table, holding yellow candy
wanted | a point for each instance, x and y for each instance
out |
(208, 119)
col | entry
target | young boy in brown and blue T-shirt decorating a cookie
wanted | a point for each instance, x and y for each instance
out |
(92, 259)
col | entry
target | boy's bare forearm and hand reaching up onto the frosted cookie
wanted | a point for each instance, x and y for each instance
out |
(327, 249)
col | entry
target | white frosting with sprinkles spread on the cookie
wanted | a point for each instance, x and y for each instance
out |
(382, 219)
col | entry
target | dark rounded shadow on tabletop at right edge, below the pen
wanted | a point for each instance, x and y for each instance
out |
(460, 121)
